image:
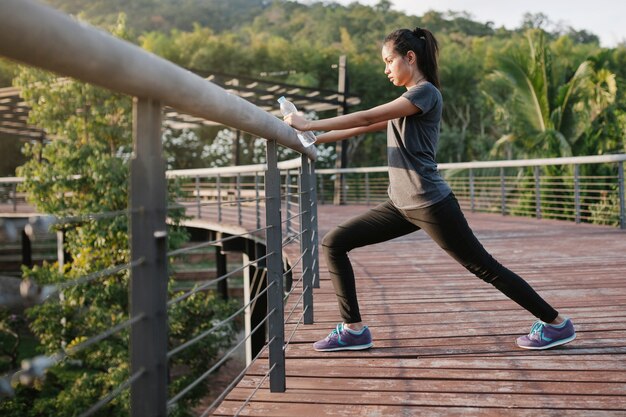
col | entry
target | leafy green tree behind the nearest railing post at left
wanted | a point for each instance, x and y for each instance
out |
(82, 171)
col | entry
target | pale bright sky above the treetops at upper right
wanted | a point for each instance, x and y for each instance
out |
(603, 18)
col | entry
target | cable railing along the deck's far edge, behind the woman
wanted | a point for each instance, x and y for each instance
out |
(588, 189)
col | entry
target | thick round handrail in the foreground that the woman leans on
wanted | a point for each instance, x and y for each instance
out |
(40, 36)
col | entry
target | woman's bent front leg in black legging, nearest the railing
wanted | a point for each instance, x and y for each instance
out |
(379, 224)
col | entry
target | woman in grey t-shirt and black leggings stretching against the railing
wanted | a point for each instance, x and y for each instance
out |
(419, 198)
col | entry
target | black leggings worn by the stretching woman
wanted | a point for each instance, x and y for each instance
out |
(445, 224)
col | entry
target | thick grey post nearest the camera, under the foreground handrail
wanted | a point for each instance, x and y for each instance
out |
(148, 241)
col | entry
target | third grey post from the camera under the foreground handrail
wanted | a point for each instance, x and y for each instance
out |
(306, 239)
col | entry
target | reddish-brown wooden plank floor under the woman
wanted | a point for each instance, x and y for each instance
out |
(445, 341)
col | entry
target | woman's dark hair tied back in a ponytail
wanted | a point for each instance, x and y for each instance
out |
(423, 43)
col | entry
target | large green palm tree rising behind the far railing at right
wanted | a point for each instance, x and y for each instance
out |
(542, 118)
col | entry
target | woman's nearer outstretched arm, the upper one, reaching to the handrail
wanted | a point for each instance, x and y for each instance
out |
(400, 107)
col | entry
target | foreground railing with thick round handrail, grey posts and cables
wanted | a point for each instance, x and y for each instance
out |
(39, 36)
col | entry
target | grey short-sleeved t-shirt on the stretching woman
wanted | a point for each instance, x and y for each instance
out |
(414, 181)
